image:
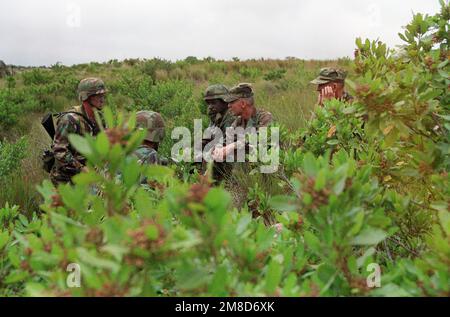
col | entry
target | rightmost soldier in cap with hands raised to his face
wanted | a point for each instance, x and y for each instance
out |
(331, 84)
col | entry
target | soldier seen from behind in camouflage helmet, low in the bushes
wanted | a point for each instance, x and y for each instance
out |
(153, 123)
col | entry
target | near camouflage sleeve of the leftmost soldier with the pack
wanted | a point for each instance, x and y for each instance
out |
(61, 147)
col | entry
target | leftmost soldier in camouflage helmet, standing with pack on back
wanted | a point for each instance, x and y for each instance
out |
(80, 120)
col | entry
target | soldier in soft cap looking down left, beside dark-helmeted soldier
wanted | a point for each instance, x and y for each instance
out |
(241, 103)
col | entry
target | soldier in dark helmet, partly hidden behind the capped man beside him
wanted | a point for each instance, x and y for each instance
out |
(220, 118)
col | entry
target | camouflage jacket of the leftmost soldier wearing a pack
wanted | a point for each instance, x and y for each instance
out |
(68, 162)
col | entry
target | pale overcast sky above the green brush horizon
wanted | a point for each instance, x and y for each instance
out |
(48, 31)
